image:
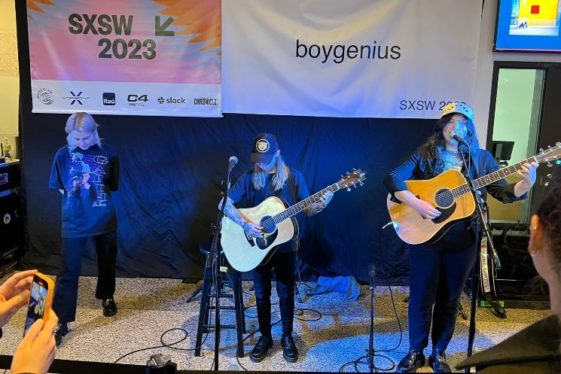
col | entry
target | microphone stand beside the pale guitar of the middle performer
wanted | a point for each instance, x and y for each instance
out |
(215, 255)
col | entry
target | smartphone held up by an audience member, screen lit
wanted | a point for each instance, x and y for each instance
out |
(40, 299)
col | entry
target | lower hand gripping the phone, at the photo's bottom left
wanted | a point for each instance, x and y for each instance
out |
(36, 352)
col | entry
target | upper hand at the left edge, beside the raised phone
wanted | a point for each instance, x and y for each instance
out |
(14, 293)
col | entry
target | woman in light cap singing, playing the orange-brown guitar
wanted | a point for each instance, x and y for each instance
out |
(440, 267)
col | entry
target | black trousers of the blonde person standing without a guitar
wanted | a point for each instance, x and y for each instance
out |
(66, 289)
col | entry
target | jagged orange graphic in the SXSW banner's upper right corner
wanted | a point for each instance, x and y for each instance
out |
(200, 18)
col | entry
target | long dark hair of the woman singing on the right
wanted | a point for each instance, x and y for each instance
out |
(432, 150)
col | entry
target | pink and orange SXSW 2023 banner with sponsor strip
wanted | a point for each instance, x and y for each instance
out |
(133, 57)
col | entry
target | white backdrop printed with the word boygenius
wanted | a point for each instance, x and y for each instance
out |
(358, 58)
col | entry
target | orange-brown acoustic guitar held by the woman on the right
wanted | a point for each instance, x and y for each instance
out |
(450, 193)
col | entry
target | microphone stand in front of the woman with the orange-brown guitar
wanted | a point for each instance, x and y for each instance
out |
(481, 222)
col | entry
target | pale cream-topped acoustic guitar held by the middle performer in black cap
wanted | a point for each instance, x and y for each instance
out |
(245, 252)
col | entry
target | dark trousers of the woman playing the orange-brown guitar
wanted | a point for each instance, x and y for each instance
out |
(438, 275)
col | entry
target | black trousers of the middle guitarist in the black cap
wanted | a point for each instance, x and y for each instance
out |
(283, 263)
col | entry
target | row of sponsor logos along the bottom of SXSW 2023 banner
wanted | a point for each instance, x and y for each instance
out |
(78, 98)
